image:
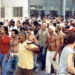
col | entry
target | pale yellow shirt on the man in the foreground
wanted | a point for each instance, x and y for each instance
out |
(26, 56)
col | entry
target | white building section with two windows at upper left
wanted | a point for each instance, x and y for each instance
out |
(14, 8)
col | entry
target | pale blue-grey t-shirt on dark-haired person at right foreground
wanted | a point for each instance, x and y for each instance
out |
(63, 66)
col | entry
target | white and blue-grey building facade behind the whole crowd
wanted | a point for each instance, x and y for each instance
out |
(26, 8)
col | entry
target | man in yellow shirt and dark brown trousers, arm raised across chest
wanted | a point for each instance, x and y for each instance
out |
(25, 64)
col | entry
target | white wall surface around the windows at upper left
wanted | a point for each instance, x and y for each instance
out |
(9, 4)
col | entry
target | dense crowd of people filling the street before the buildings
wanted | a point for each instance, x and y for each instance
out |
(48, 43)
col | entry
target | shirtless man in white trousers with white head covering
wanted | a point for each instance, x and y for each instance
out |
(52, 51)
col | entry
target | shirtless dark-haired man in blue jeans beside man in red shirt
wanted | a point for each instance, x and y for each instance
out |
(12, 57)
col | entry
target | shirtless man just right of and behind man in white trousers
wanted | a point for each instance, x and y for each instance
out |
(60, 38)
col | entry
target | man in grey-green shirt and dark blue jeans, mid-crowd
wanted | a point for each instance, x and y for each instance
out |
(42, 36)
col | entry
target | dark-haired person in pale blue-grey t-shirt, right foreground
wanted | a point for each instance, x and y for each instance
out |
(66, 64)
